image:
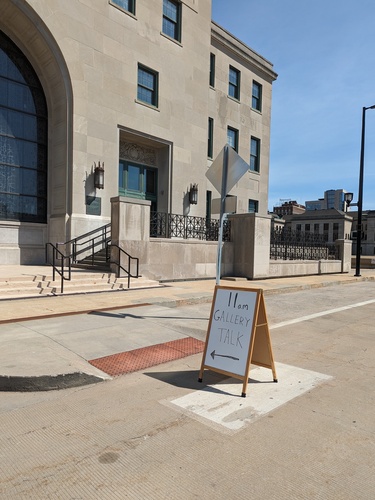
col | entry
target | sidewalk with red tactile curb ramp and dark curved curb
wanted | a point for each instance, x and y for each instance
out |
(65, 341)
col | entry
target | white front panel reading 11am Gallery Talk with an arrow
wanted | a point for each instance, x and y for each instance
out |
(229, 336)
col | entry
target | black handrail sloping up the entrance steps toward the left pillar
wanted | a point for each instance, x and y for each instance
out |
(87, 244)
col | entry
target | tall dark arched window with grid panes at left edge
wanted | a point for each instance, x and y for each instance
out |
(23, 138)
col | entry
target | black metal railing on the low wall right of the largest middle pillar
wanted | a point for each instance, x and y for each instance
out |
(297, 245)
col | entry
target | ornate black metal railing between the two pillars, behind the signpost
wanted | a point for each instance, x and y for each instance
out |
(164, 225)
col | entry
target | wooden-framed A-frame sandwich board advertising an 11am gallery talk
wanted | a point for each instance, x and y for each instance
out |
(238, 334)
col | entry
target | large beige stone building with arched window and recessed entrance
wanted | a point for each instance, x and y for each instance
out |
(148, 90)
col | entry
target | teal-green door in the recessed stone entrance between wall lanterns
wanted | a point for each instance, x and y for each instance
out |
(138, 181)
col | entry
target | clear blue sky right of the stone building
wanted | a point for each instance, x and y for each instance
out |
(324, 54)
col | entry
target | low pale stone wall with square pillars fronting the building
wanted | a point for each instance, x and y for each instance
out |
(246, 255)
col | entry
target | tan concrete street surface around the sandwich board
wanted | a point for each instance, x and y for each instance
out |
(137, 436)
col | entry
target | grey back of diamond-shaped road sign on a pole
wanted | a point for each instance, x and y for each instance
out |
(237, 167)
